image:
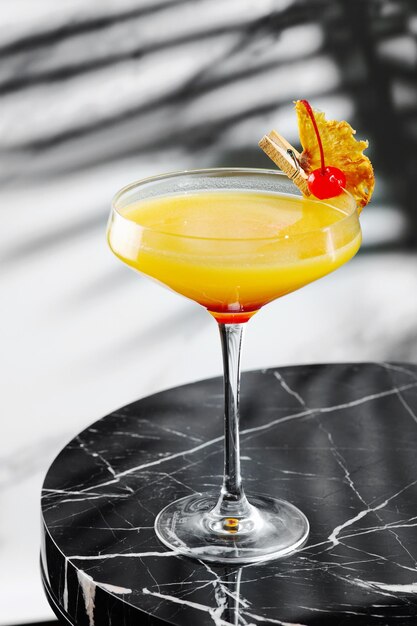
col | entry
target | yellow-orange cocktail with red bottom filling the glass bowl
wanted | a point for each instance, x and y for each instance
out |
(234, 251)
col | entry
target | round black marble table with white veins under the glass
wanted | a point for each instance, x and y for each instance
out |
(339, 441)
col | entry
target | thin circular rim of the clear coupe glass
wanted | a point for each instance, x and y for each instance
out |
(229, 170)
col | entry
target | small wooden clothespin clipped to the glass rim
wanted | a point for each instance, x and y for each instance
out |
(283, 154)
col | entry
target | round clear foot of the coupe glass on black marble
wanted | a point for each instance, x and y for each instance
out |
(273, 529)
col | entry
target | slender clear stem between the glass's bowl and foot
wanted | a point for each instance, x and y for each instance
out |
(232, 501)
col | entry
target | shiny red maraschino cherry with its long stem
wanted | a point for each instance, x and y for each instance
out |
(326, 181)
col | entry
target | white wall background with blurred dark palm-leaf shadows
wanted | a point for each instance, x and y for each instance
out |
(96, 94)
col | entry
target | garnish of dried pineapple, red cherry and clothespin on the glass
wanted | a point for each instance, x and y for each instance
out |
(350, 169)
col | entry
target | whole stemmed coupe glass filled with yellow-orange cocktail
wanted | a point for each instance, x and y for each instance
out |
(233, 276)
